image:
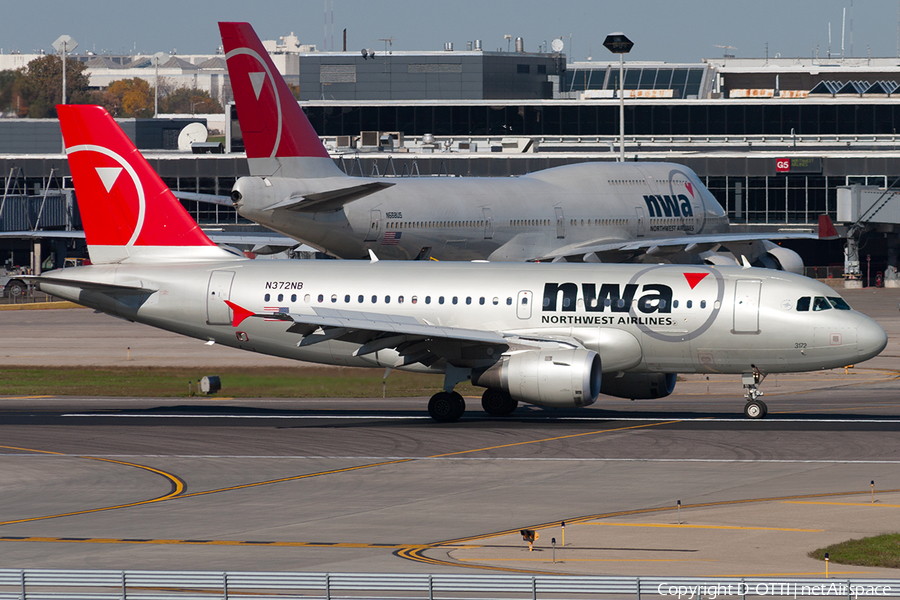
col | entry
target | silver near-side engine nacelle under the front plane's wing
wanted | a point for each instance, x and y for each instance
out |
(560, 378)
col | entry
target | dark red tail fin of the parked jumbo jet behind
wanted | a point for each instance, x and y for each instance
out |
(279, 139)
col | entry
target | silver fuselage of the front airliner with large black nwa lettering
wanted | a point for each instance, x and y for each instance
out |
(642, 319)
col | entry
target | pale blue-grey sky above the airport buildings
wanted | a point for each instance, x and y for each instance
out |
(662, 30)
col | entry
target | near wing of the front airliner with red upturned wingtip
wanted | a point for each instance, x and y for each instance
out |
(413, 339)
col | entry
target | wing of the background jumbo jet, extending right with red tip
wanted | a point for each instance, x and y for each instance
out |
(693, 243)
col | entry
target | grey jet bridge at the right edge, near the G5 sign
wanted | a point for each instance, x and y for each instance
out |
(869, 209)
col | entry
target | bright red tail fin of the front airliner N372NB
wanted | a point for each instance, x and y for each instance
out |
(128, 212)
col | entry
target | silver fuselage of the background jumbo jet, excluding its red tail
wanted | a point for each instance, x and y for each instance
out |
(499, 218)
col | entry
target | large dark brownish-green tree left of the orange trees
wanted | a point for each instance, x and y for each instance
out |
(40, 85)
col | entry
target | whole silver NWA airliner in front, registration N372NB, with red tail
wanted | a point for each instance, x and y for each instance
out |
(553, 335)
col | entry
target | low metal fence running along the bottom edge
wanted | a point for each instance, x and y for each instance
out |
(40, 584)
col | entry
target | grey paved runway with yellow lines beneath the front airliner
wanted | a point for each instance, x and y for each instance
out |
(373, 485)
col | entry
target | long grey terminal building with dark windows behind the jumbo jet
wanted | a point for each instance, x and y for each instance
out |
(773, 140)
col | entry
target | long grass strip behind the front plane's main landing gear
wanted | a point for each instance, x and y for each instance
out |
(259, 382)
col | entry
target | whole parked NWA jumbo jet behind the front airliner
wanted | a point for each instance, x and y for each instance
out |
(590, 212)
